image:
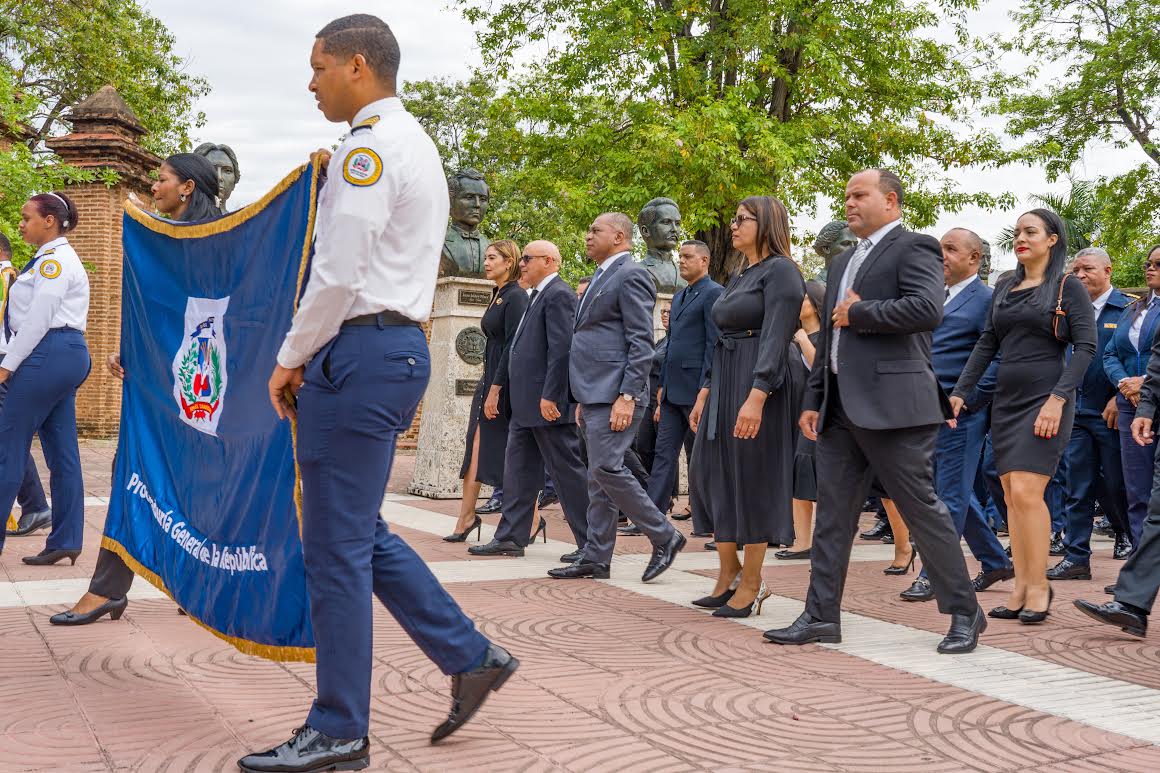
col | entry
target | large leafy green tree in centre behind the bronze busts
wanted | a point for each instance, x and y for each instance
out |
(708, 102)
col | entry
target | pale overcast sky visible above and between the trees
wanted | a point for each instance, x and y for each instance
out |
(256, 57)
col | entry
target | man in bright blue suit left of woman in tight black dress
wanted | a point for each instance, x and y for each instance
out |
(959, 450)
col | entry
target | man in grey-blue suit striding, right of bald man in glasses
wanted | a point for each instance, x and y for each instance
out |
(608, 374)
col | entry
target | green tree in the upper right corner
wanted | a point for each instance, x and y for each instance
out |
(1101, 60)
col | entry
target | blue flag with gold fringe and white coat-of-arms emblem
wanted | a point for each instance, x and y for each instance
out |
(206, 496)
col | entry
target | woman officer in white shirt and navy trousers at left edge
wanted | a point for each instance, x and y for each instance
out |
(46, 360)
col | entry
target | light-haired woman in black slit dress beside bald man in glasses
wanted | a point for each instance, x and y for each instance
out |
(487, 443)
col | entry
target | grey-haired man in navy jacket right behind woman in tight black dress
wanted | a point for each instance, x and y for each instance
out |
(1094, 467)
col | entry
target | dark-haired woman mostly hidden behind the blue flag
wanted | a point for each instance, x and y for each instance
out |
(186, 191)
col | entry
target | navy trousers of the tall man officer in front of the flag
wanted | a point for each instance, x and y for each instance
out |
(361, 391)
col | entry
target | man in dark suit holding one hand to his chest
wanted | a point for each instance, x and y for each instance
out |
(875, 407)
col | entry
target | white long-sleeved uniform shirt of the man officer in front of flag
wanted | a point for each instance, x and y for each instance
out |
(382, 220)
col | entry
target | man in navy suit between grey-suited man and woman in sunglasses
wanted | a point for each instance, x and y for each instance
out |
(692, 338)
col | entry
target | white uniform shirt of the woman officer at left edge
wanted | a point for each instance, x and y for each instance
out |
(52, 292)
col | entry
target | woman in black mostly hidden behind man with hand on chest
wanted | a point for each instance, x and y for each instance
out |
(806, 479)
